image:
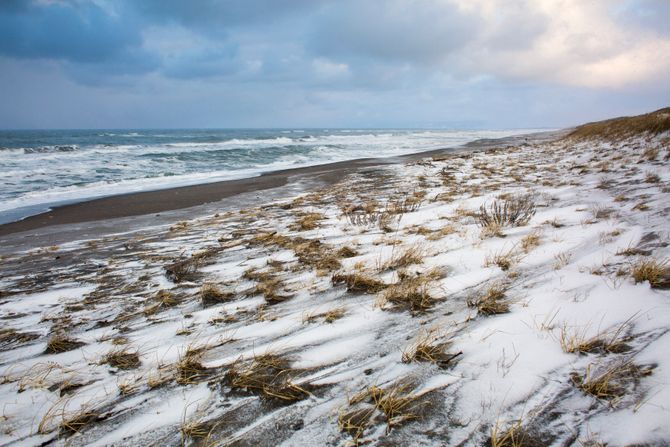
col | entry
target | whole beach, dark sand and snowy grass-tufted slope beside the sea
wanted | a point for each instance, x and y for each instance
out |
(506, 289)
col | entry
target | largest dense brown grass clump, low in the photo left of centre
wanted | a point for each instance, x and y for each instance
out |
(269, 376)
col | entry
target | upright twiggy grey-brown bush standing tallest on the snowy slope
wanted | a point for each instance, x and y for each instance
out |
(515, 211)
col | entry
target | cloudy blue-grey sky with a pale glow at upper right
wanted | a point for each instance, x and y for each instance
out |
(339, 63)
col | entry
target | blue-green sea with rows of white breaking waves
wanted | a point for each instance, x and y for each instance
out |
(40, 169)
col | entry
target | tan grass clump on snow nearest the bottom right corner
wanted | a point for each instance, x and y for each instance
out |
(610, 382)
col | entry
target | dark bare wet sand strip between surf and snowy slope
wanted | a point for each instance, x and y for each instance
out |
(183, 197)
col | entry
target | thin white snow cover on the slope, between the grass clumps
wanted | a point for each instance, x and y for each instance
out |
(576, 281)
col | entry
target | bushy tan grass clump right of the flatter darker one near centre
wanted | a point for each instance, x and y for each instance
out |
(410, 293)
